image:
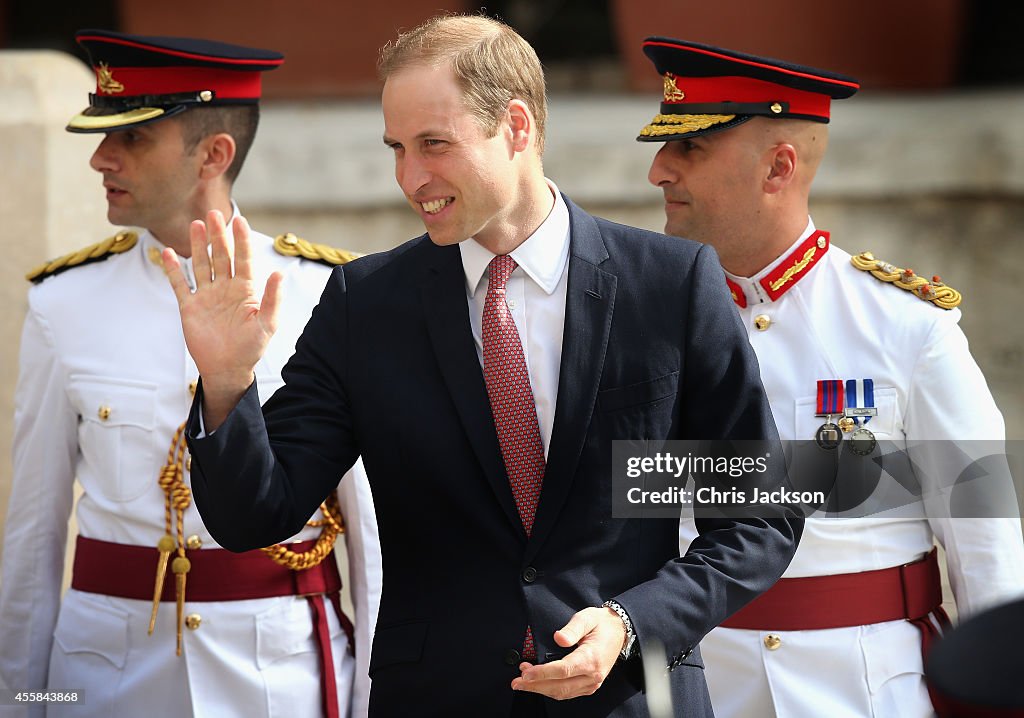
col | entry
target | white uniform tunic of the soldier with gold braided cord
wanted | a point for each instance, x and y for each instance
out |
(105, 383)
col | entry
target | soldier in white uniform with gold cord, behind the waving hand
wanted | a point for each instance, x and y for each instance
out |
(160, 621)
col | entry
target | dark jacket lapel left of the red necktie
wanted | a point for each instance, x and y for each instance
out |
(447, 317)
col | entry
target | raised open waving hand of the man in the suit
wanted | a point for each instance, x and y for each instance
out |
(227, 326)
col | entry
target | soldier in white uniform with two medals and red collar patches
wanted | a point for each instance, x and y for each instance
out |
(842, 633)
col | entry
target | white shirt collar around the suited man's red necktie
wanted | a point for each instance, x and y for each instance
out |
(542, 257)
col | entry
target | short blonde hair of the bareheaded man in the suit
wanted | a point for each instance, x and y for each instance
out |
(493, 65)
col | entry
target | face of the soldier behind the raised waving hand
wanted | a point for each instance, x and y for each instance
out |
(149, 177)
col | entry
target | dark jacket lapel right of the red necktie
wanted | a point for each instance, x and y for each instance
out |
(589, 304)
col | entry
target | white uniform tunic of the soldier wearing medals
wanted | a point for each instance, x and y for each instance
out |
(837, 322)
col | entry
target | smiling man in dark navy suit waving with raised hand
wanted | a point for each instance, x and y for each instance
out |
(493, 488)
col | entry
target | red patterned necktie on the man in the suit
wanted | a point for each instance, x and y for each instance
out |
(513, 404)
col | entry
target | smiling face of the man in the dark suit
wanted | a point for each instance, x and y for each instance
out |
(461, 182)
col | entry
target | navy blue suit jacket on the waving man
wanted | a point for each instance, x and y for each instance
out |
(388, 369)
